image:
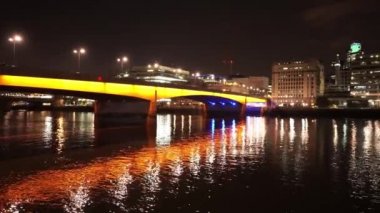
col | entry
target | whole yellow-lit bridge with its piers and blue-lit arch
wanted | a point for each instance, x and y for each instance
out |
(129, 98)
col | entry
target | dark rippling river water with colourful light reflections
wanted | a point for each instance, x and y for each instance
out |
(71, 162)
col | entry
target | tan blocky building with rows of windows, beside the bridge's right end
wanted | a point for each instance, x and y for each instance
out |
(297, 83)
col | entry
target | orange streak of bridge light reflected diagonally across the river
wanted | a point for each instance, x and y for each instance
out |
(74, 184)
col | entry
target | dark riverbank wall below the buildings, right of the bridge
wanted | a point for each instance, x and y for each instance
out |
(323, 112)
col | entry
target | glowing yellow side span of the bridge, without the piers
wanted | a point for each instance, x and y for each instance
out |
(146, 92)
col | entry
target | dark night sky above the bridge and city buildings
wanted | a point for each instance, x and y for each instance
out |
(194, 35)
